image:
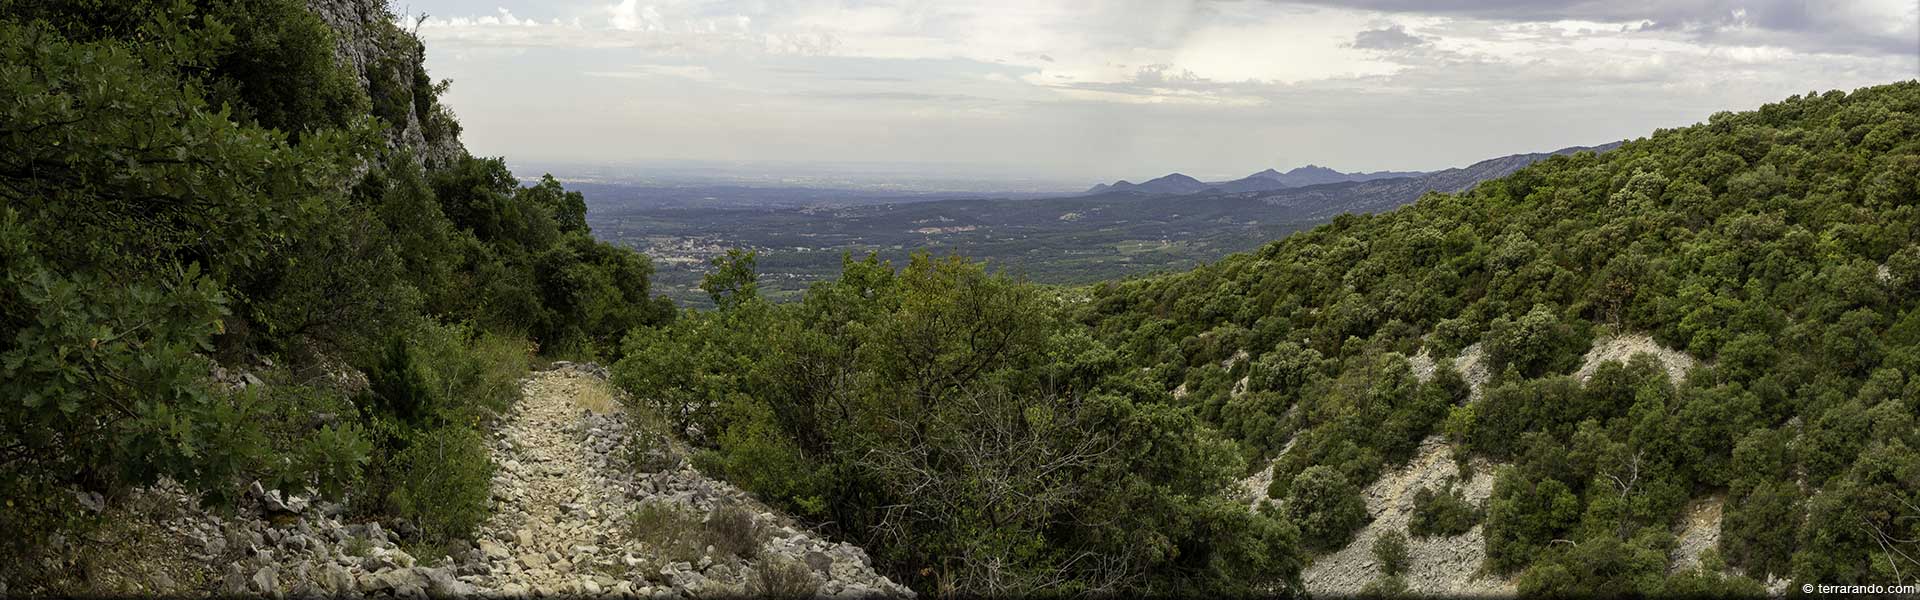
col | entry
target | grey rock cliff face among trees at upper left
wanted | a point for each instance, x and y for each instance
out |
(391, 68)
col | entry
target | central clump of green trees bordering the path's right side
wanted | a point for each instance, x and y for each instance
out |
(959, 428)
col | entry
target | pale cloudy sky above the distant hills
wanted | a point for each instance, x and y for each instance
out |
(1128, 89)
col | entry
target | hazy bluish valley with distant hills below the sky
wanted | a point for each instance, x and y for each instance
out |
(802, 236)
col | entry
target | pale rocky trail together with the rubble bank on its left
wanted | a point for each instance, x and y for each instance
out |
(571, 478)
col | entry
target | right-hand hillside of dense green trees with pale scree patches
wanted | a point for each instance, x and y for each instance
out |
(1781, 247)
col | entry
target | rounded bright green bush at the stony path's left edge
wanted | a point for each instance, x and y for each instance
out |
(443, 484)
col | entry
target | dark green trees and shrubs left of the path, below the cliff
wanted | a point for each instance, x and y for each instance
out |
(203, 184)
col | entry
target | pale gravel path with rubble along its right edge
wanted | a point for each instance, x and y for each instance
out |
(567, 486)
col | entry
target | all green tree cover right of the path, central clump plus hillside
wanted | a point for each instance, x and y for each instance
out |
(982, 434)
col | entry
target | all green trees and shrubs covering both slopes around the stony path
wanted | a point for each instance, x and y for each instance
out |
(272, 187)
